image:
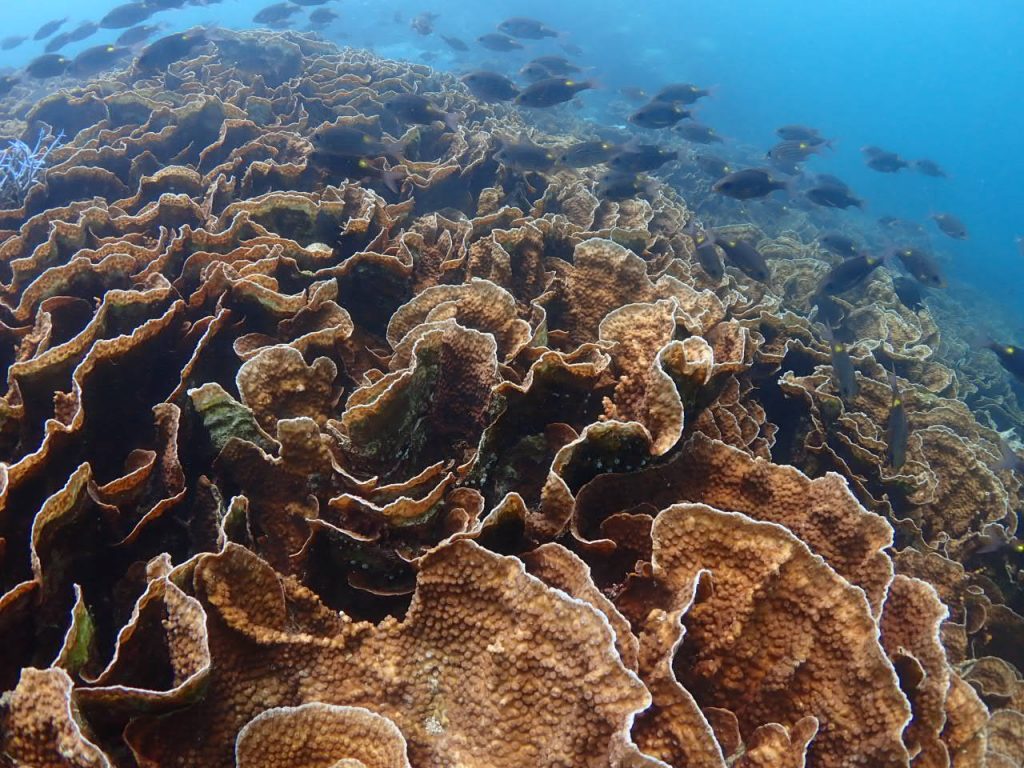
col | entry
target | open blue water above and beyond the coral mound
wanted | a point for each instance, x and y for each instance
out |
(940, 80)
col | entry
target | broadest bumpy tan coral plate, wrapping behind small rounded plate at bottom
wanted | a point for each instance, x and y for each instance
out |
(489, 668)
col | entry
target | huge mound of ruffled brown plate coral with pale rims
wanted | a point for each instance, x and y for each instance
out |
(426, 461)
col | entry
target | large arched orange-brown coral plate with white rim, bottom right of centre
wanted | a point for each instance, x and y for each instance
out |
(782, 636)
